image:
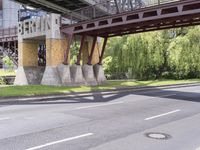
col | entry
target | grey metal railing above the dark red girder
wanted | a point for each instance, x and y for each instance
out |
(109, 7)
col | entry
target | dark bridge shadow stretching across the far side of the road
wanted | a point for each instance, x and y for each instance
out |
(102, 97)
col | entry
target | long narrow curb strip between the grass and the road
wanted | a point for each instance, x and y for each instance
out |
(83, 94)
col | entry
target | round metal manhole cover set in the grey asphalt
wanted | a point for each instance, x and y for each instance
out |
(159, 136)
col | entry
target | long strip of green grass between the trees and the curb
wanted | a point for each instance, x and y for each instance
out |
(10, 91)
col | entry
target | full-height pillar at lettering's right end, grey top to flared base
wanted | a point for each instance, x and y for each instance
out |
(56, 44)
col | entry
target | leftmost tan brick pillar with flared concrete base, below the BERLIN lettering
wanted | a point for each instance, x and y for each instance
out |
(28, 71)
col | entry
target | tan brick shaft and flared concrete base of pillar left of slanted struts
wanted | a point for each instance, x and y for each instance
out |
(54, 75)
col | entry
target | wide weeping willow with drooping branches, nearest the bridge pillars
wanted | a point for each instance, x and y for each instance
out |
(137, 56)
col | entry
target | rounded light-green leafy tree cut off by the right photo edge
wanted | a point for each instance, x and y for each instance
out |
(184, 56)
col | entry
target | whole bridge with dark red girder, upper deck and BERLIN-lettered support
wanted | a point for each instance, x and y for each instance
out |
(86, 21)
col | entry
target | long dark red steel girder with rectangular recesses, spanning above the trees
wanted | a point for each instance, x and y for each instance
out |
(170, 15)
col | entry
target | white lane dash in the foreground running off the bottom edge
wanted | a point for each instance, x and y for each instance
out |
(60, 141)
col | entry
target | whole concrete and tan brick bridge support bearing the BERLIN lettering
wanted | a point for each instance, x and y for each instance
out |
(58, 71)
